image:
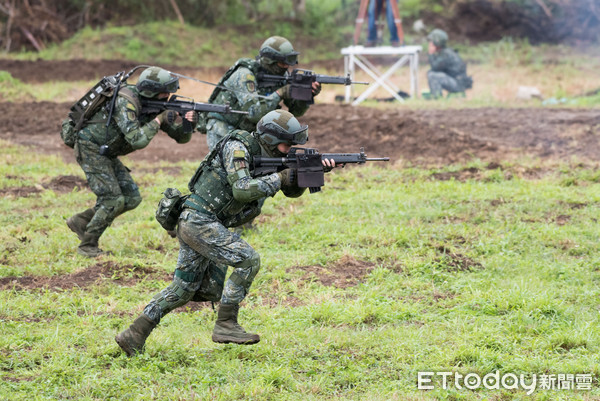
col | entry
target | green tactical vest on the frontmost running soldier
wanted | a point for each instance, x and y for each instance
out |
(211, 190)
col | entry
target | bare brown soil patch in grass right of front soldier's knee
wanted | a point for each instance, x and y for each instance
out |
(346, 272)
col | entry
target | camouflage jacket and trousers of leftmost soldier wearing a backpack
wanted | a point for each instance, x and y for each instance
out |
(107, 177)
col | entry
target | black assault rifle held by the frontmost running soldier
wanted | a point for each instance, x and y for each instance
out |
(308, 164)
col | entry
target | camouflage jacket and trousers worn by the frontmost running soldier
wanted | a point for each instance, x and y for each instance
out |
(206, 242)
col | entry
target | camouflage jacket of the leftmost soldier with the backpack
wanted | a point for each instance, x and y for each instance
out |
(129, 130)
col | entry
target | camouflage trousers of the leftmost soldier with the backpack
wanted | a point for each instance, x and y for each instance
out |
(110, 181)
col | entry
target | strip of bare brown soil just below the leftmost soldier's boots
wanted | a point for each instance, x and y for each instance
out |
(125, 275)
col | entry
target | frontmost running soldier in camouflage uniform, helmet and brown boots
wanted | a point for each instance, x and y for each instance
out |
(224, 194)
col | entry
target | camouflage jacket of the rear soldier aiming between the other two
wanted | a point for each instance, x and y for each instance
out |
(244, 88)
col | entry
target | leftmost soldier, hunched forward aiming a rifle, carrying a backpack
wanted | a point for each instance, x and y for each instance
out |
(130, 129)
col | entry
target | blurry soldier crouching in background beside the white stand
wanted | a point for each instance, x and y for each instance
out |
(448, 71)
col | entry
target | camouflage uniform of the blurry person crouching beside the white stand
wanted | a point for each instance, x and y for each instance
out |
(447, 72)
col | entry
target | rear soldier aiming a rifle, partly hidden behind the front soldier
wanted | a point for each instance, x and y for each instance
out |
(275, 57)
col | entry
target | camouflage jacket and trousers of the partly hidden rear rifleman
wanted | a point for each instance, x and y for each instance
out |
(244, 88)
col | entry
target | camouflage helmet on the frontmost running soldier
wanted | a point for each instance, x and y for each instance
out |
(280, 126)
